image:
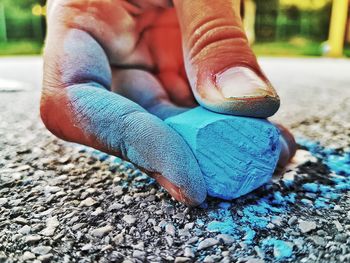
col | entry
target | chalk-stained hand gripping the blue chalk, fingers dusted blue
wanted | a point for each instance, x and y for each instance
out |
(113, 69)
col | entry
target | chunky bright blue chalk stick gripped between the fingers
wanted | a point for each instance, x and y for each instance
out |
(236, 154)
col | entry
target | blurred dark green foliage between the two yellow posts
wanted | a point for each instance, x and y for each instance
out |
(277, 22)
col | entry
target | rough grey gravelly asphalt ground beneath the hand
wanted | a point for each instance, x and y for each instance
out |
(61, 202)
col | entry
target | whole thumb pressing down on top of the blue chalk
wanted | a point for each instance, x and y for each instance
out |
(221, 67)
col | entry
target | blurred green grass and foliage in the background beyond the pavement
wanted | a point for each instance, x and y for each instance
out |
(277, 27)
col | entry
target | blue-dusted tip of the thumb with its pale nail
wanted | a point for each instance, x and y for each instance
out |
(237, 91)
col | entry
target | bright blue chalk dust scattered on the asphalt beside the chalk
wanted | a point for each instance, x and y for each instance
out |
(255, 217)
